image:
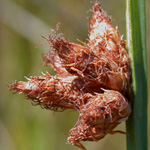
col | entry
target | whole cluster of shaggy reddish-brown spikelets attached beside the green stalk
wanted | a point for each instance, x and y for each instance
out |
(92, 78)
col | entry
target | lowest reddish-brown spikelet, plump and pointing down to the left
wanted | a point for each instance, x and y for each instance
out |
(99, 116)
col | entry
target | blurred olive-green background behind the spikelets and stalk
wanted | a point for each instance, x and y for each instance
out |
(22, 23)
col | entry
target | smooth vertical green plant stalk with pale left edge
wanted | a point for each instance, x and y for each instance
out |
(136, 44)
